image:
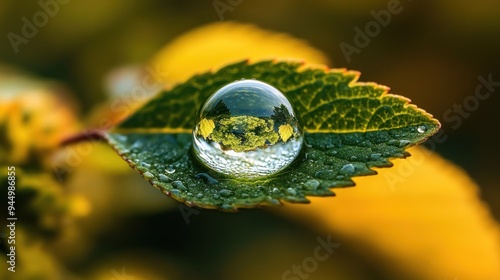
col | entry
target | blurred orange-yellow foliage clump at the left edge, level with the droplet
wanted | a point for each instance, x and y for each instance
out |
(36, 120)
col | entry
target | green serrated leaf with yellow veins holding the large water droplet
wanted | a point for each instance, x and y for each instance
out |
(349, 127)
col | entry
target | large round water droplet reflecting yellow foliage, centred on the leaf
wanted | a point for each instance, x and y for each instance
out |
(247, 129)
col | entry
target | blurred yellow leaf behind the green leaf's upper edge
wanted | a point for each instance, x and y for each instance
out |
(218, 44)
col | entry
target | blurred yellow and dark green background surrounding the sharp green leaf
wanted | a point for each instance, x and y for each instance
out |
(99, 220)
